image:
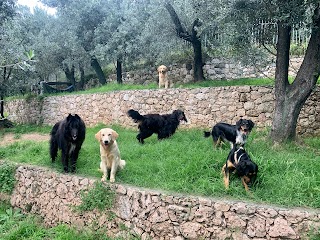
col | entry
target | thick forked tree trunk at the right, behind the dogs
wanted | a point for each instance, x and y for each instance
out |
(289, 99)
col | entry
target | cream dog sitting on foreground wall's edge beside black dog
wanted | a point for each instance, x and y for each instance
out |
(110, 154)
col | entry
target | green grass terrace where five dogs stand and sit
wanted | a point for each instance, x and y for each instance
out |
(187, 163)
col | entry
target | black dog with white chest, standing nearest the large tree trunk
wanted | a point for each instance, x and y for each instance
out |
(235, 134)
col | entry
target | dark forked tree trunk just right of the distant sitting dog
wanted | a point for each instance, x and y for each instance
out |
(192, 38)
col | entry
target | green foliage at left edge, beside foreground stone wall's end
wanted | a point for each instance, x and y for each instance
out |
(7, 179)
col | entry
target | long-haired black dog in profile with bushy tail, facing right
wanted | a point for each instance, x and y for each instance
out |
(163, 125)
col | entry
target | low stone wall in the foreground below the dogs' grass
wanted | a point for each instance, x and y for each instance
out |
(157, 215)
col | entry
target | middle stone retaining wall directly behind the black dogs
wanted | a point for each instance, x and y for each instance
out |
(203, 107)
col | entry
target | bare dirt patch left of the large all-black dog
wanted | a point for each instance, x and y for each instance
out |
(9, 138)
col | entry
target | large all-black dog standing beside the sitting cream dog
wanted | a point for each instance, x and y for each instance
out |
(67, 135)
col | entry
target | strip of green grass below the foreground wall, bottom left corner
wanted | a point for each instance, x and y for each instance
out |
(14, 225)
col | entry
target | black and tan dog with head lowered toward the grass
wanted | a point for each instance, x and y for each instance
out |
(239, 160)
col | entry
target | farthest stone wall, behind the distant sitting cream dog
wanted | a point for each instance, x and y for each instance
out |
(217, 69)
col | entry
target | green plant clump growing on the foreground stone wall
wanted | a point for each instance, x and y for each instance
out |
(100, 197)
